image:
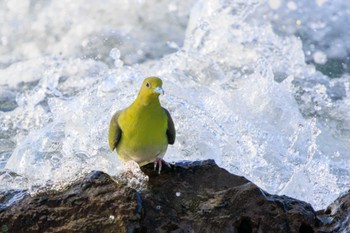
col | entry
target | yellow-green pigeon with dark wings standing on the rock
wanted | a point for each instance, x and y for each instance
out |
(143, 131)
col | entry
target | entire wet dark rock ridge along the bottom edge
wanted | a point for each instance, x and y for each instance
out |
(189, 197)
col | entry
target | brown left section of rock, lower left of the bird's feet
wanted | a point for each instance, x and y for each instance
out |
(94, 204)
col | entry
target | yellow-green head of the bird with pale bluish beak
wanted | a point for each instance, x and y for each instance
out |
(150, 90)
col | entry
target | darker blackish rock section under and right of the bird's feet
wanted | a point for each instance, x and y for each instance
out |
(205, 198)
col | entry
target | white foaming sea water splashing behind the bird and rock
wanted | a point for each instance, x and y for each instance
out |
(260, 86)
